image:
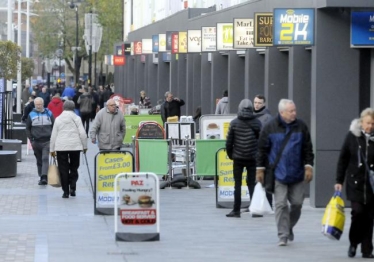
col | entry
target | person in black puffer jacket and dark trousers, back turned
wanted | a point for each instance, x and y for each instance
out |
(241, 147)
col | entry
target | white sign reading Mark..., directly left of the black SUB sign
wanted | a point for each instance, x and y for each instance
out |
(243, 33)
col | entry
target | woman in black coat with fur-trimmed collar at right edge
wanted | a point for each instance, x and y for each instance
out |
(356, 156)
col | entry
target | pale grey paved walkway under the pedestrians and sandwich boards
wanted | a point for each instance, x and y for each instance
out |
(38, 225)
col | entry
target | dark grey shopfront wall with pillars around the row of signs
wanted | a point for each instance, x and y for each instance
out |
(329, 82)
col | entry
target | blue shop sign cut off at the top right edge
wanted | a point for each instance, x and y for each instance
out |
(362, 29)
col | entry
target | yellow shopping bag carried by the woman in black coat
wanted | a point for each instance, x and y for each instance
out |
(334, 217)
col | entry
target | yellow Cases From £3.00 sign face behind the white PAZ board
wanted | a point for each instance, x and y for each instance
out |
(108, 166)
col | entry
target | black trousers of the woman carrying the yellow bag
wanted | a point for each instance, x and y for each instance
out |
(361, 231)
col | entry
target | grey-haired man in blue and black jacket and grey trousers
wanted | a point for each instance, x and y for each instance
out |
(294, 169)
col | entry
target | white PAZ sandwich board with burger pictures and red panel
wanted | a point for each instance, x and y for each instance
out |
(138, 204)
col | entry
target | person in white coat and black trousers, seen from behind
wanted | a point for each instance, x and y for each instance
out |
(68, 139)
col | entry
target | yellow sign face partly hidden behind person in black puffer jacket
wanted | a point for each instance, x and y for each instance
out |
(226, 181)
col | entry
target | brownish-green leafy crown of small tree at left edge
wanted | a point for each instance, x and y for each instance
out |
(10, 54)
